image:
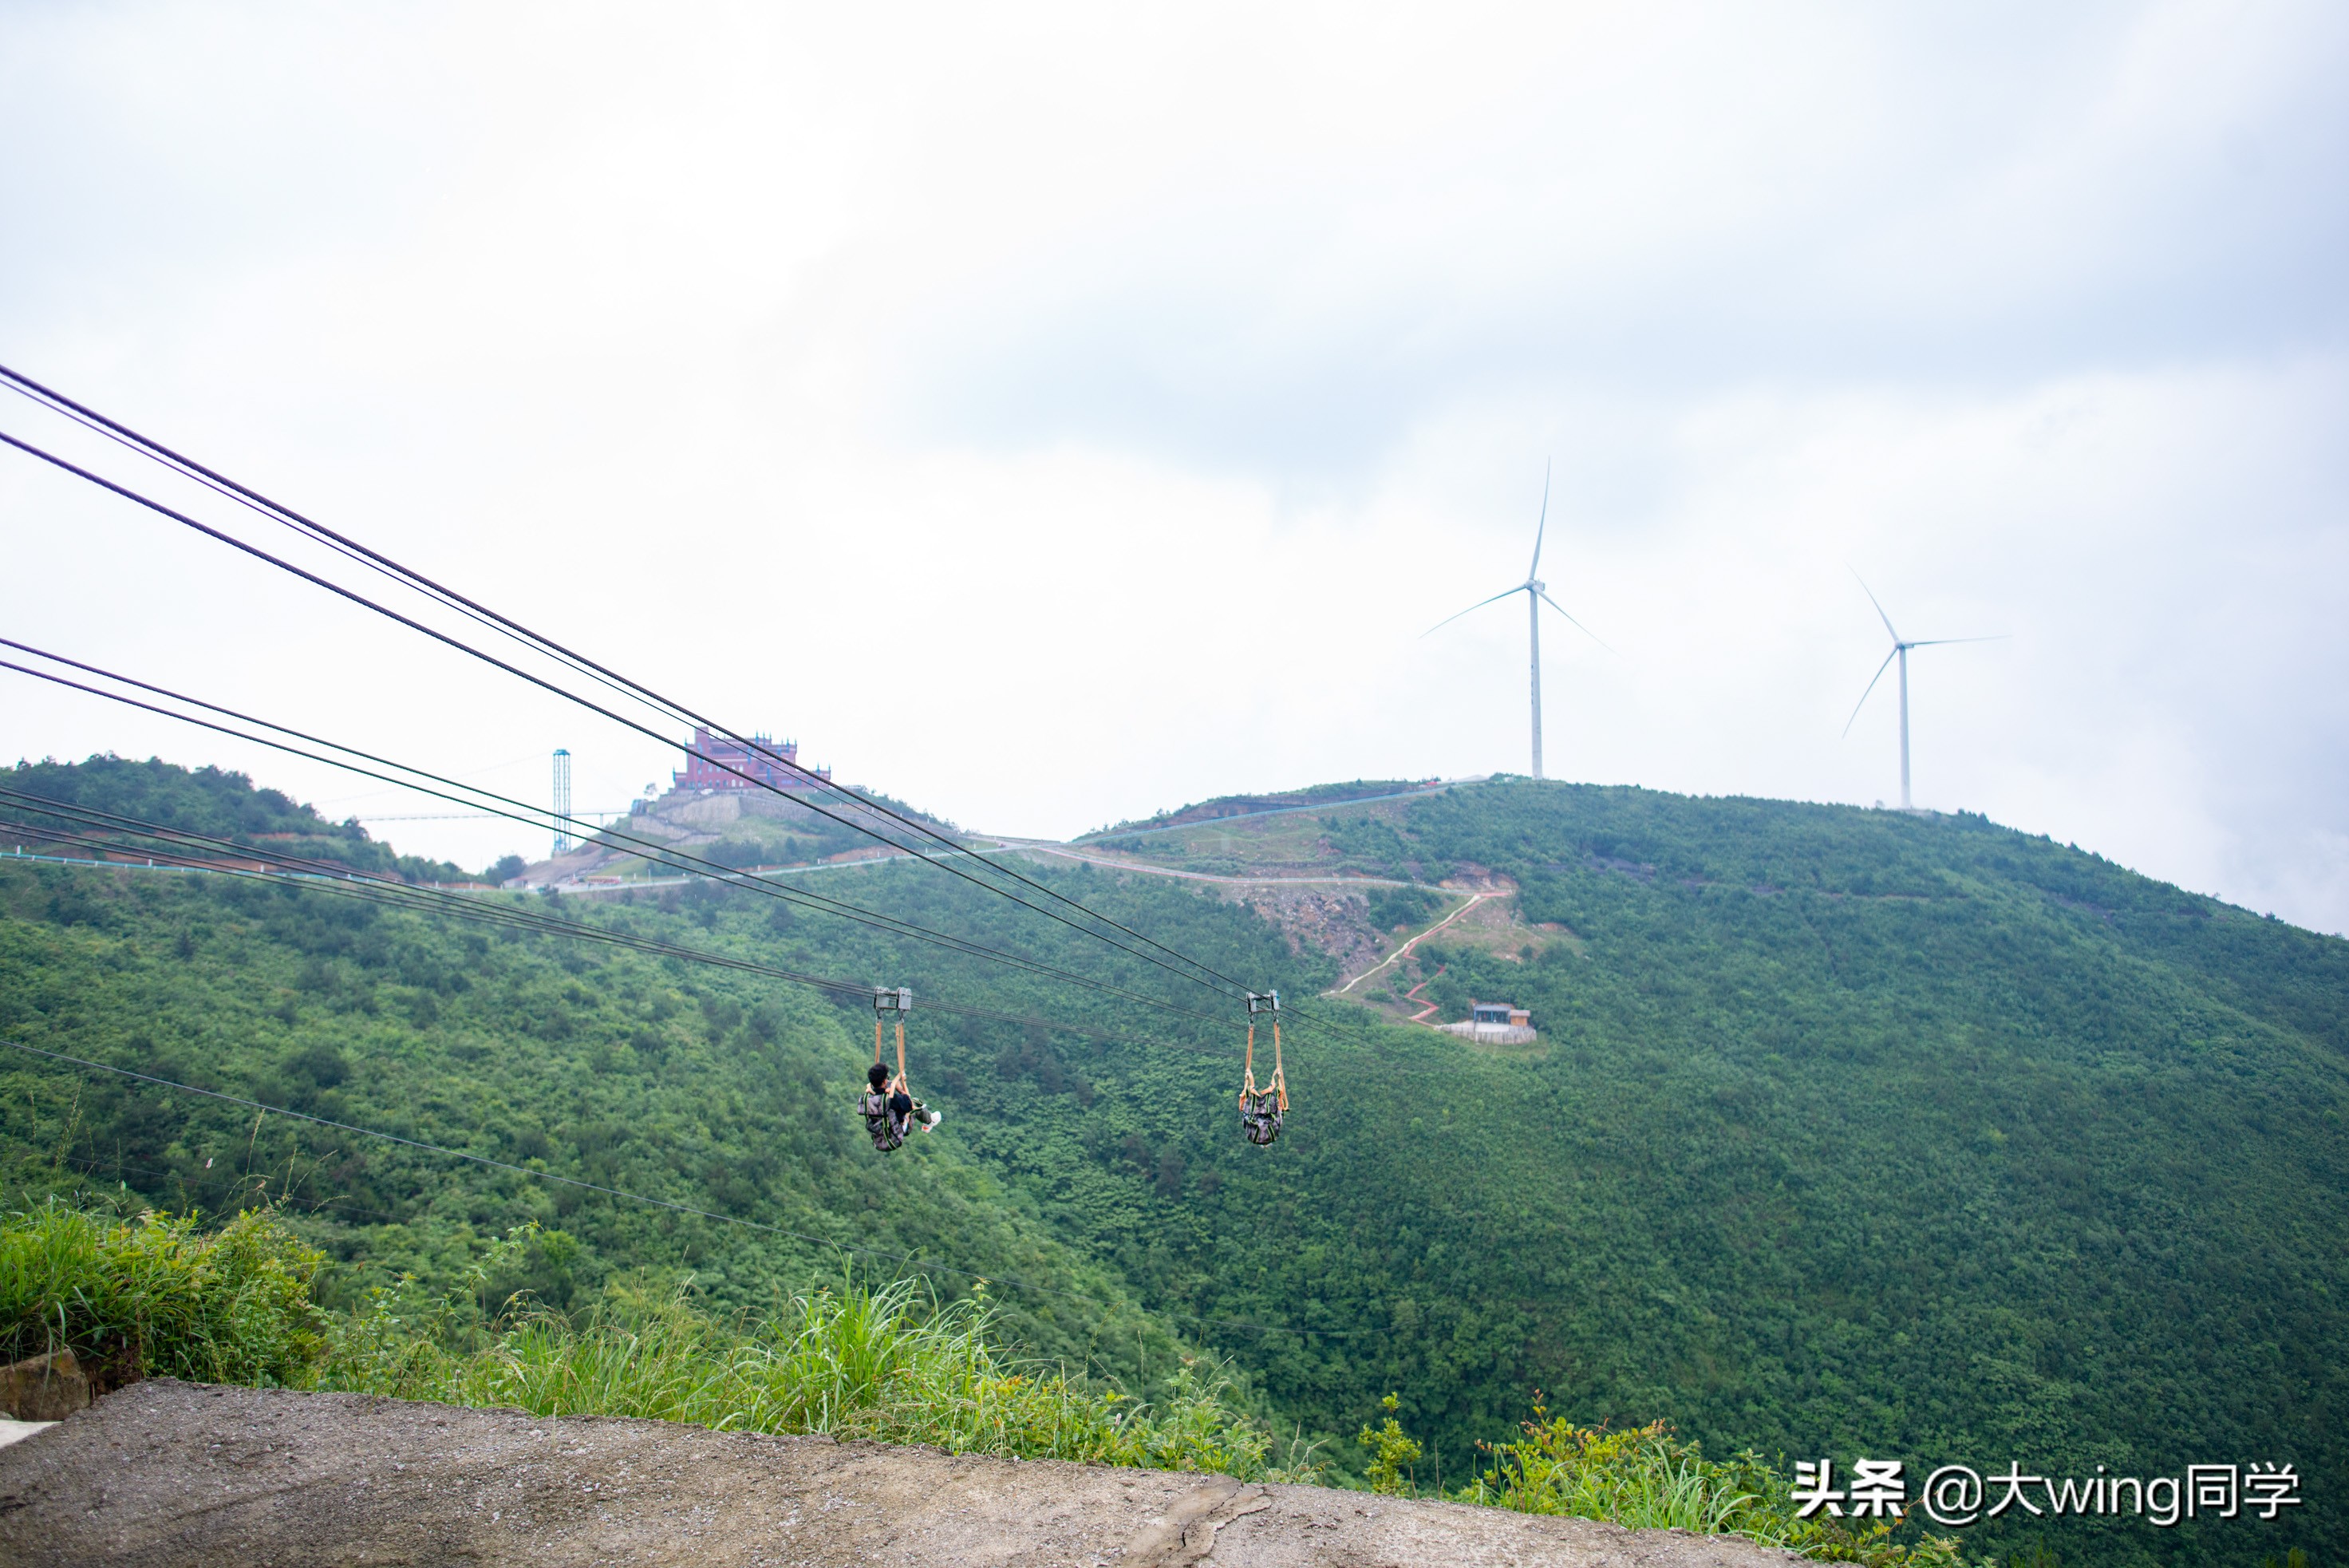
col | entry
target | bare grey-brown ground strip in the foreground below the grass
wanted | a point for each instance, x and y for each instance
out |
(180, 1473)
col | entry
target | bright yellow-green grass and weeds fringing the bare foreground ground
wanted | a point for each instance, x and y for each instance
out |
(854, 1362)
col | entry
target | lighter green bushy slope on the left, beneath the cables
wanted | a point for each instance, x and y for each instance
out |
(692, 1087)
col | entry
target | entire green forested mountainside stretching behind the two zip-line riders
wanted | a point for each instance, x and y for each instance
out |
(1845, 1134)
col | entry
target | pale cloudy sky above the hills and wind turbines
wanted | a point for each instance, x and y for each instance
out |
(1065, 413)
